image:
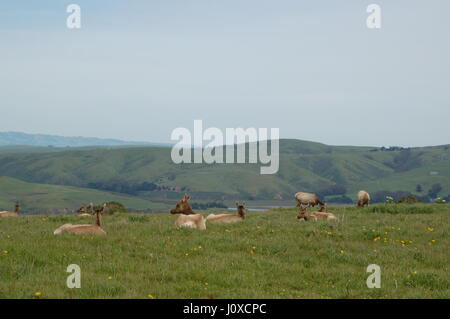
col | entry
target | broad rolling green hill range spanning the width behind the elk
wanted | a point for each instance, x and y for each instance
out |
(148, 172)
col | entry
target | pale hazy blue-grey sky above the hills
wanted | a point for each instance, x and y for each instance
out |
(138, 69)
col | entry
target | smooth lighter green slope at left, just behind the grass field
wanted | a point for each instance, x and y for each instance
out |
(41, 198)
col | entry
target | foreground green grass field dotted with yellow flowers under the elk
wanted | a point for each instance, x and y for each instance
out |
(269, 255)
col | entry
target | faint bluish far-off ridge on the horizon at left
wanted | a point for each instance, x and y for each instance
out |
(18, 138)
